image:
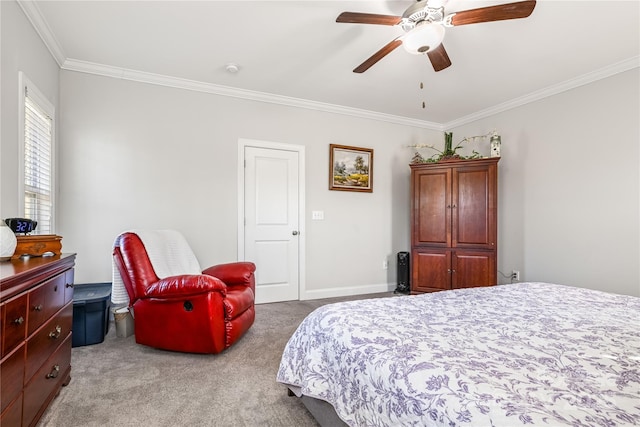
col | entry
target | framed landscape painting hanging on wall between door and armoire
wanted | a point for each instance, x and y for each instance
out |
(350, 168)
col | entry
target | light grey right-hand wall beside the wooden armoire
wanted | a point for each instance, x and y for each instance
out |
(569, 186)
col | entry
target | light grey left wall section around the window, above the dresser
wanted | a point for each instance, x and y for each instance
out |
(21, 50)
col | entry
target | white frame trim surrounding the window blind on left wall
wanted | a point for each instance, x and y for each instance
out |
(26, 85)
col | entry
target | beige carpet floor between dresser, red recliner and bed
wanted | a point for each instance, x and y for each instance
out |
(119, 383)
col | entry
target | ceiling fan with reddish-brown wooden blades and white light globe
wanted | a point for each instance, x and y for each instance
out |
(424, 23)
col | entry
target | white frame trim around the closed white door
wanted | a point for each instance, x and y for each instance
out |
(300, 149)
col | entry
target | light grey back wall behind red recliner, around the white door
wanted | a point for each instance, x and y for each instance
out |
(137, 155)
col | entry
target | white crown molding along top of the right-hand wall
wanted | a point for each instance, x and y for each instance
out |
(608, 71)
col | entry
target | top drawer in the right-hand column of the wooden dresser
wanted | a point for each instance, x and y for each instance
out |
(45, 301)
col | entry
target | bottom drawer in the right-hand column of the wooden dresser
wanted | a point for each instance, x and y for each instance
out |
(46, 382)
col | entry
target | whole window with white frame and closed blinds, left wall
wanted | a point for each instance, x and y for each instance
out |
(36, 166)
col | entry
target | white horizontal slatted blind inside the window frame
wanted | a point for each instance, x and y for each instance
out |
(38, 170)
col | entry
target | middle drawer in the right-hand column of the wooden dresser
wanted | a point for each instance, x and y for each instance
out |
(47, 339)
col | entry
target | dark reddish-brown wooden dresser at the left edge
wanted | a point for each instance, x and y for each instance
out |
(36, 310)
